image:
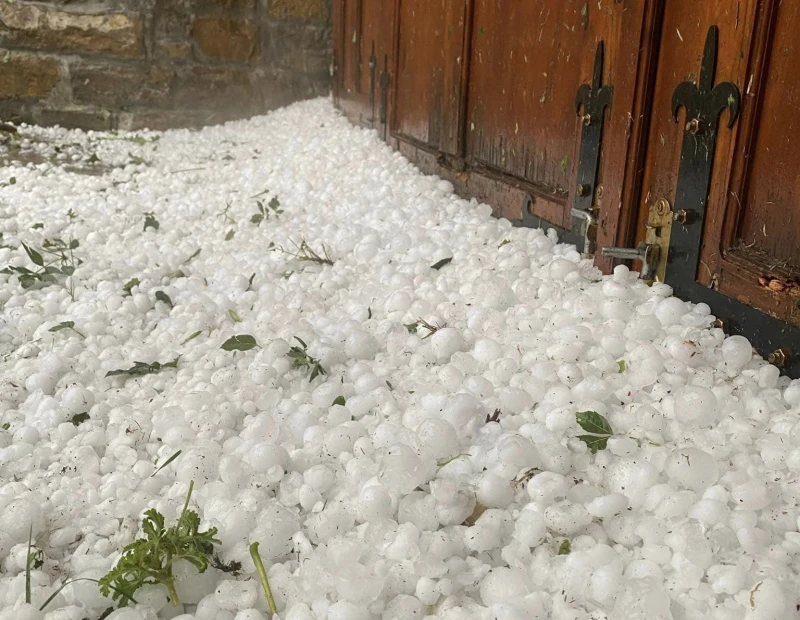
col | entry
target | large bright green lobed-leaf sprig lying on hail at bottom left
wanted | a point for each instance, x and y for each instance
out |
(150, 560)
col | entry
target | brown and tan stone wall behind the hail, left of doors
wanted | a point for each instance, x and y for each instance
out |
(129, 64)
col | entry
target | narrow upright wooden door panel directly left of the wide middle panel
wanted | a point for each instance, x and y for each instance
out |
(429, 82)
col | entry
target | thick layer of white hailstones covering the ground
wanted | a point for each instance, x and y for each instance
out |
(368, 511)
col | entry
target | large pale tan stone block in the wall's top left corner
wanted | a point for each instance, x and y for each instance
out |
(47, 28)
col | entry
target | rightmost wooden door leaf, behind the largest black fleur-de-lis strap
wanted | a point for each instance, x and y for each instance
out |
(747, 254)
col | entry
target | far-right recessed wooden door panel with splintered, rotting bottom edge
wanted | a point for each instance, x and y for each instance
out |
(759, 261)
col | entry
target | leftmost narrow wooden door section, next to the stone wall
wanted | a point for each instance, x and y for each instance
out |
(363, 46)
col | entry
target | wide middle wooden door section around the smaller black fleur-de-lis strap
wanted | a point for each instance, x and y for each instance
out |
(527, 61)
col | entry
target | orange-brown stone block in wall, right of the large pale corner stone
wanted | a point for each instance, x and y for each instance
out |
(226, 39)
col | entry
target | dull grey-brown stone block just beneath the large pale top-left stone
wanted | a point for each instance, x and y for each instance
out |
(121, 87)
